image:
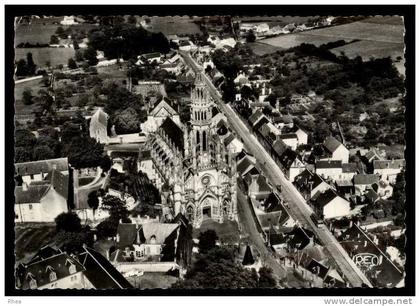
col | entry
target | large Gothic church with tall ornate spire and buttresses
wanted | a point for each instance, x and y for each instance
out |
(191, 165)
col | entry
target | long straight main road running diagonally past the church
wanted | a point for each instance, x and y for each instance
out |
(298, 207)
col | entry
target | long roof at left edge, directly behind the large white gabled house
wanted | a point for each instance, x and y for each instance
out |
(42, 166)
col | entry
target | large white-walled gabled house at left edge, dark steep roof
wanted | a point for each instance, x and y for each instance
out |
(42, 201)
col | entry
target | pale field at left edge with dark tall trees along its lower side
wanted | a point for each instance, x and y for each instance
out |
(41, 56)
